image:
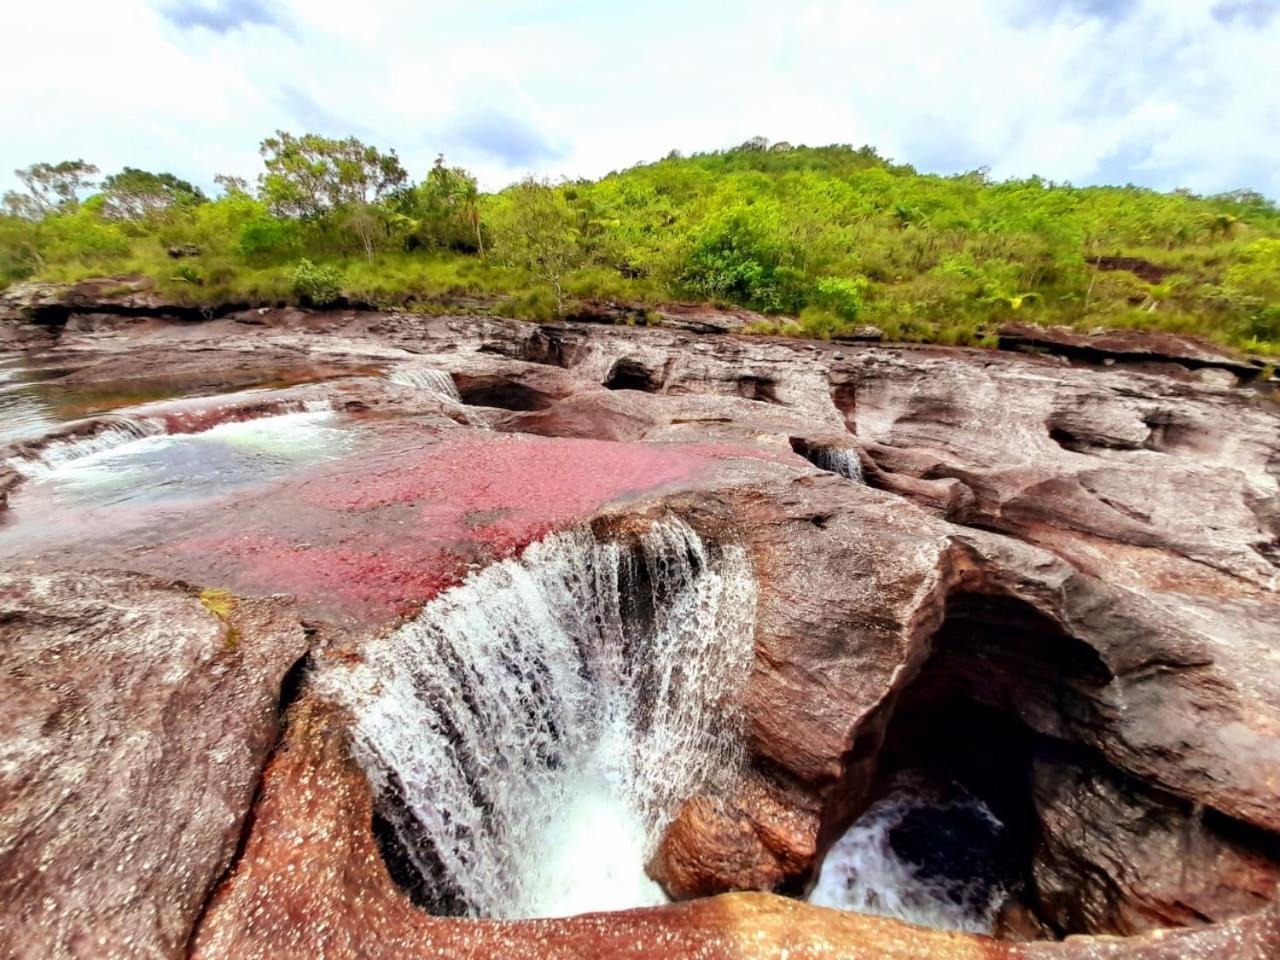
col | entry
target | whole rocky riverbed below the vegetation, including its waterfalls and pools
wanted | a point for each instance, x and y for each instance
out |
(781, 580)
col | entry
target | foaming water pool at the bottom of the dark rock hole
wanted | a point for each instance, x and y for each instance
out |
(930, 858)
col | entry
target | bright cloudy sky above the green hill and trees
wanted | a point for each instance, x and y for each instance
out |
(1160, 93)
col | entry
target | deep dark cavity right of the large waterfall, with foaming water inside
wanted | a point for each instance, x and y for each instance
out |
(953, 831)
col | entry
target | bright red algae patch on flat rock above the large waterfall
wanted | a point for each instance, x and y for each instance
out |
(382, 536)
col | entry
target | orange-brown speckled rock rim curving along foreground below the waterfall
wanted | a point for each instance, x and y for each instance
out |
(312, 884)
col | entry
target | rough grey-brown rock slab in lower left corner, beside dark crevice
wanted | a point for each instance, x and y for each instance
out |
(135, 724)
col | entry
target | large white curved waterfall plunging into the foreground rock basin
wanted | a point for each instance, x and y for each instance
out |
(532, 733)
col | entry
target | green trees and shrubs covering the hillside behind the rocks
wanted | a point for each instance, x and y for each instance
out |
(820, 239)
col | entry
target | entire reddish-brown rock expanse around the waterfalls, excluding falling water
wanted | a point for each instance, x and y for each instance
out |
(1058, 587)
